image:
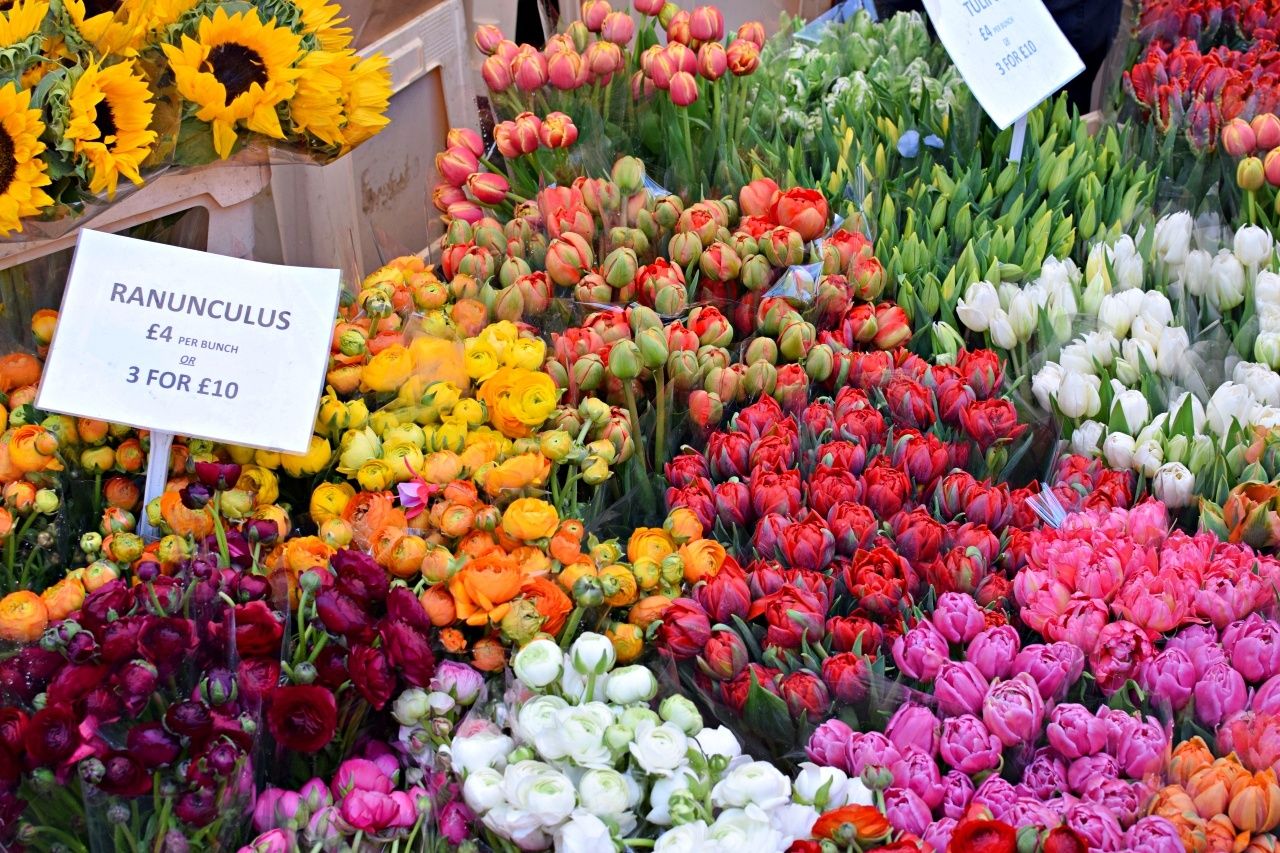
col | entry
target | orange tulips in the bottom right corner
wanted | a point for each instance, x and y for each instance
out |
(1219, 805)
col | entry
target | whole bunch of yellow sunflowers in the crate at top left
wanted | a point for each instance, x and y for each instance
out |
(93, 93)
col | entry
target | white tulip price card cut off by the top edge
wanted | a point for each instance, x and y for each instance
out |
(1011, 53)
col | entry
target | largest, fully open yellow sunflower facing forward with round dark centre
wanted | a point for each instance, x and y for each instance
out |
(239, 70)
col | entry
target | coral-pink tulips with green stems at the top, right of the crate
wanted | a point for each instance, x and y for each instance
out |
(685, 102)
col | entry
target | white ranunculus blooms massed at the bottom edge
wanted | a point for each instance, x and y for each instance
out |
(580, 774)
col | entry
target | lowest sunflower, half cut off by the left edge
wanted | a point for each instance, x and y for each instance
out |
(22, 171)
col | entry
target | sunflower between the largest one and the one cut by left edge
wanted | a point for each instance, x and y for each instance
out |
(111, 124)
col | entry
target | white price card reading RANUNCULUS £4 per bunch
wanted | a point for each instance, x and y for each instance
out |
(180, 341)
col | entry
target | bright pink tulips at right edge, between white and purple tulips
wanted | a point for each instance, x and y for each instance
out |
(1114, 582)
